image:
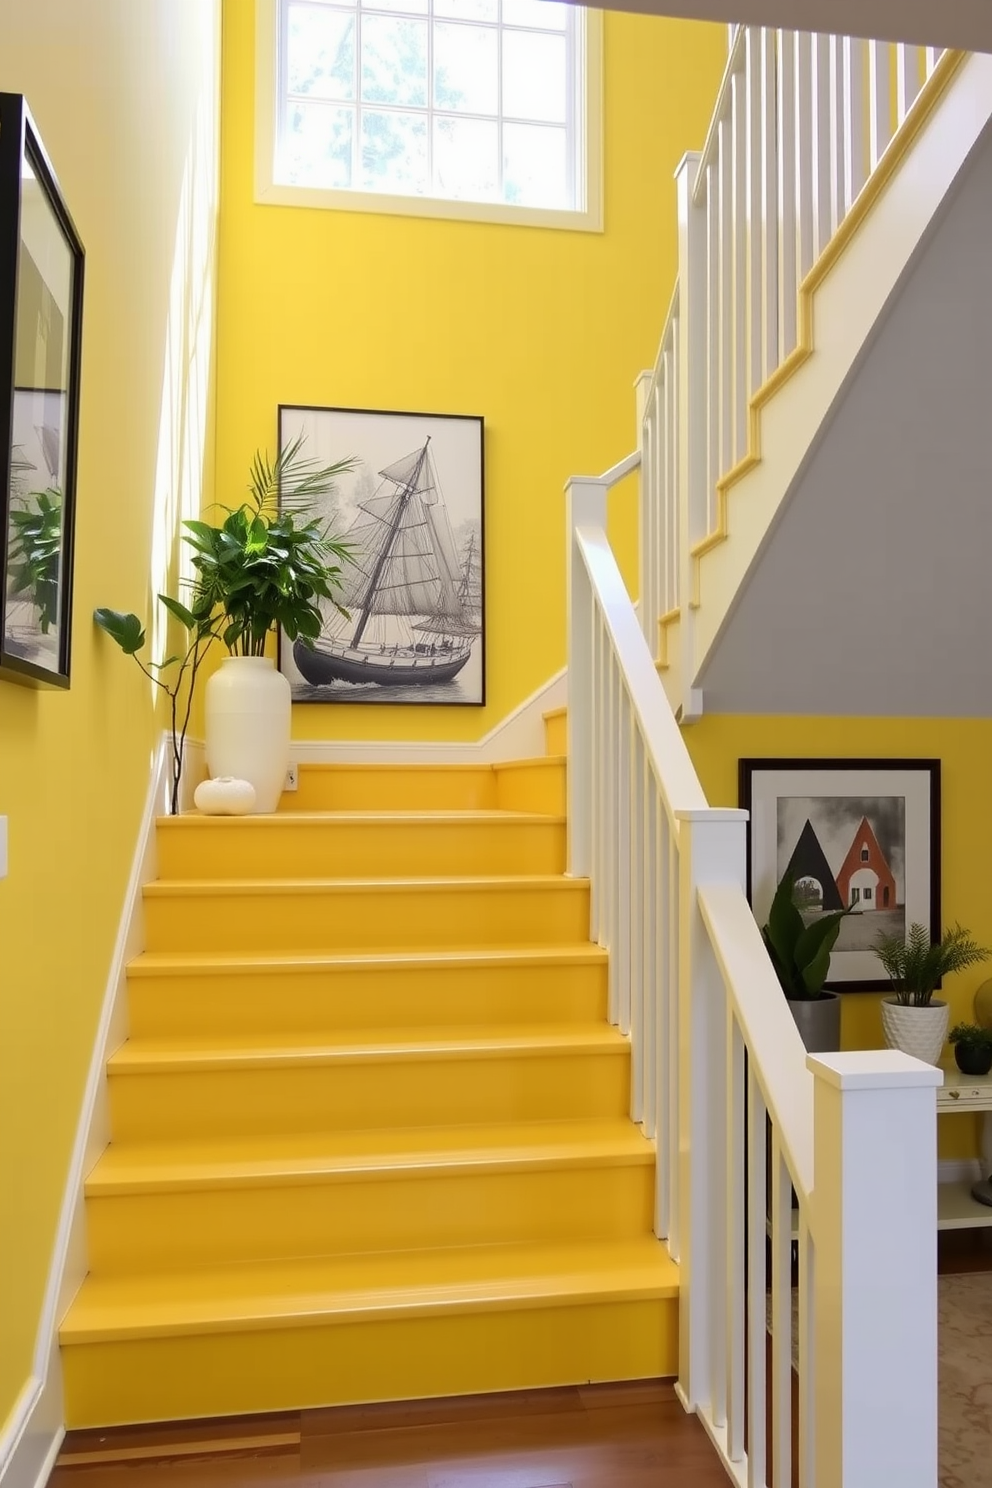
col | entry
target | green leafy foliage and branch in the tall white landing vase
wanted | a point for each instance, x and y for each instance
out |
(268, 563)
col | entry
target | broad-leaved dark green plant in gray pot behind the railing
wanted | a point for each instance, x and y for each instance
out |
(801, 956)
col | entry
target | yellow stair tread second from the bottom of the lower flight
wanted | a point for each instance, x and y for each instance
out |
(295, 1160)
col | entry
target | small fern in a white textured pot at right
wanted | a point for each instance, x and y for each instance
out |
(912, 1019)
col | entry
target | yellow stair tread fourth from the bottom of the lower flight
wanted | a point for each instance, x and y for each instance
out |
(155, 963)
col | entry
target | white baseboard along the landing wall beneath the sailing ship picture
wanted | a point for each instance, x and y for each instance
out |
(520, 736)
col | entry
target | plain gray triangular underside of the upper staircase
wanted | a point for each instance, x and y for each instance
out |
(874, 593)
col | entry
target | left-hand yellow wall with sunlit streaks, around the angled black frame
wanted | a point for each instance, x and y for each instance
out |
(124, 96)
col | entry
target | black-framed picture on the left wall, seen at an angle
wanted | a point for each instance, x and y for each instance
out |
(41, 344)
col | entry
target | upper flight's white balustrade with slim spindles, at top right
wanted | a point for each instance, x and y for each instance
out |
(802, 124)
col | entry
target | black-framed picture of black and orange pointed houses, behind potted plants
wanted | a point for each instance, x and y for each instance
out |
(801, 813)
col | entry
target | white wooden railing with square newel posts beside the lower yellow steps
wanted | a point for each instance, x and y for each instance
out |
(718, 1063)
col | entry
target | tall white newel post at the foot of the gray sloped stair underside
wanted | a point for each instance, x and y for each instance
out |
(692, 496)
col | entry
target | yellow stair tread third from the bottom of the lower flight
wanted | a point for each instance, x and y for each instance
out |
(359, 1047)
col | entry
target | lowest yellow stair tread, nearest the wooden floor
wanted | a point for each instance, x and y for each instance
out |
(347, 1289)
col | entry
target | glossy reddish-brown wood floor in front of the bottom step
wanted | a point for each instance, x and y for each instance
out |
(594, 1437)
